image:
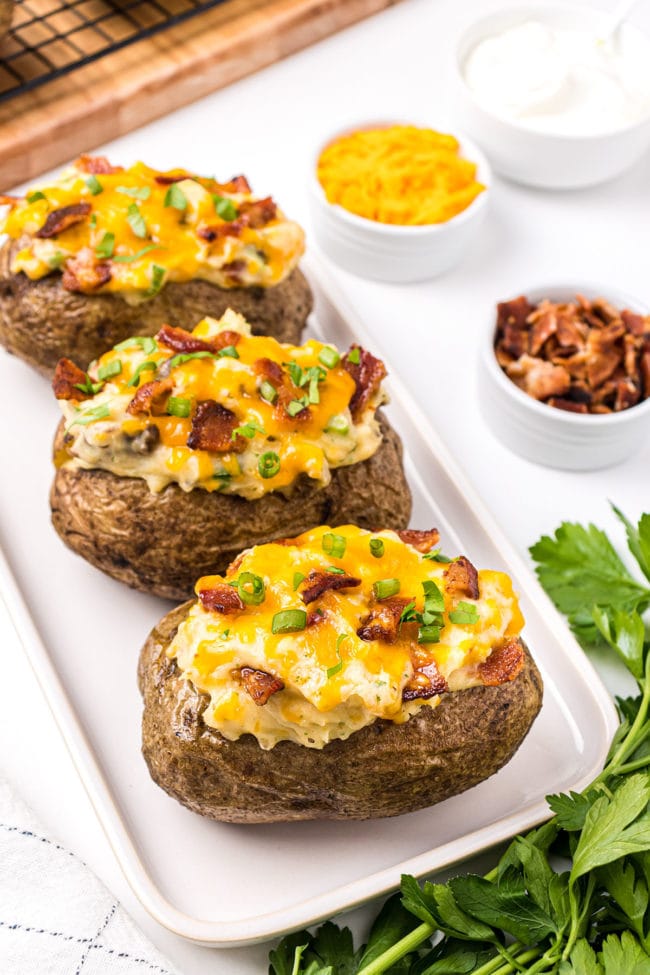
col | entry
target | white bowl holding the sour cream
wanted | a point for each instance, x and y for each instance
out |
(542, 159)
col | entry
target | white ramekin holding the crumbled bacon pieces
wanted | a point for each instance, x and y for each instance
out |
(545, 434)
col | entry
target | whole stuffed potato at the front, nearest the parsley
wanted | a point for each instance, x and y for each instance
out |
(338, 675)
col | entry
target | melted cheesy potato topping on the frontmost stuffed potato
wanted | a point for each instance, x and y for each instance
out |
(329, 680)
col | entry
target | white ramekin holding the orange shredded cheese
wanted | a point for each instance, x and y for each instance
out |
(385, 252)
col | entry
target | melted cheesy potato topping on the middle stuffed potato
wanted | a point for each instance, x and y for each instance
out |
(274, 448)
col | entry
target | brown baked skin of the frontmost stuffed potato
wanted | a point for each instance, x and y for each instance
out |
(383, 770)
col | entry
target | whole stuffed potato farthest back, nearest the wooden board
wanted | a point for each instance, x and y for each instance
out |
(104, 253)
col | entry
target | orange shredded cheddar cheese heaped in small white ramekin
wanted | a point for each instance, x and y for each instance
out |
(399, 175)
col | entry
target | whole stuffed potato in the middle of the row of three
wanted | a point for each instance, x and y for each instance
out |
(177, 452)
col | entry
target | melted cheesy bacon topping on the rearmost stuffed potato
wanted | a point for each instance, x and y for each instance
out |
(140, 228)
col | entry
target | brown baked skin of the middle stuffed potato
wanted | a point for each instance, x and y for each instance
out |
(162, 543)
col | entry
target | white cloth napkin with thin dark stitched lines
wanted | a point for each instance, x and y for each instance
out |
(56, 917)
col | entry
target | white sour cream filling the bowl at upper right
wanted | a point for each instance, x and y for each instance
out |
(560, 81)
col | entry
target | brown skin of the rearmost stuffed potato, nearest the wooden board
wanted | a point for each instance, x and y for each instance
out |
(41, 322)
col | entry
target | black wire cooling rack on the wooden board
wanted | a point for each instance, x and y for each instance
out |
(50, 38)
